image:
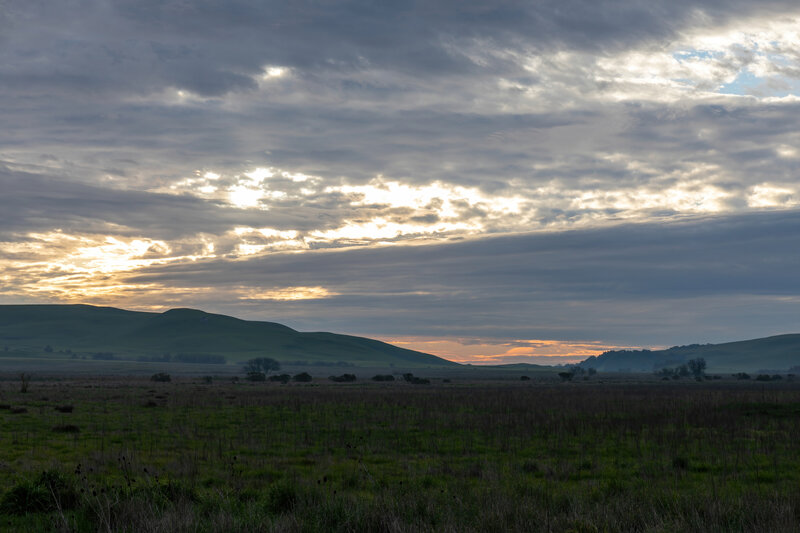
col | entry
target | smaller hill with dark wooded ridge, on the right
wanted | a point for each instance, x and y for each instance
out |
(778, 353)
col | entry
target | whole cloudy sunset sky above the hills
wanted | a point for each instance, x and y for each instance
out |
(491, 182)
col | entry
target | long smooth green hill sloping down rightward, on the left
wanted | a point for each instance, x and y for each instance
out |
(81, 331)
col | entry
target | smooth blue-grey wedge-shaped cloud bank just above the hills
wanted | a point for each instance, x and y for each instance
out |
(704, 279)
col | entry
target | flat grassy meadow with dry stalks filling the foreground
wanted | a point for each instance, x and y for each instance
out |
(208, 455)
